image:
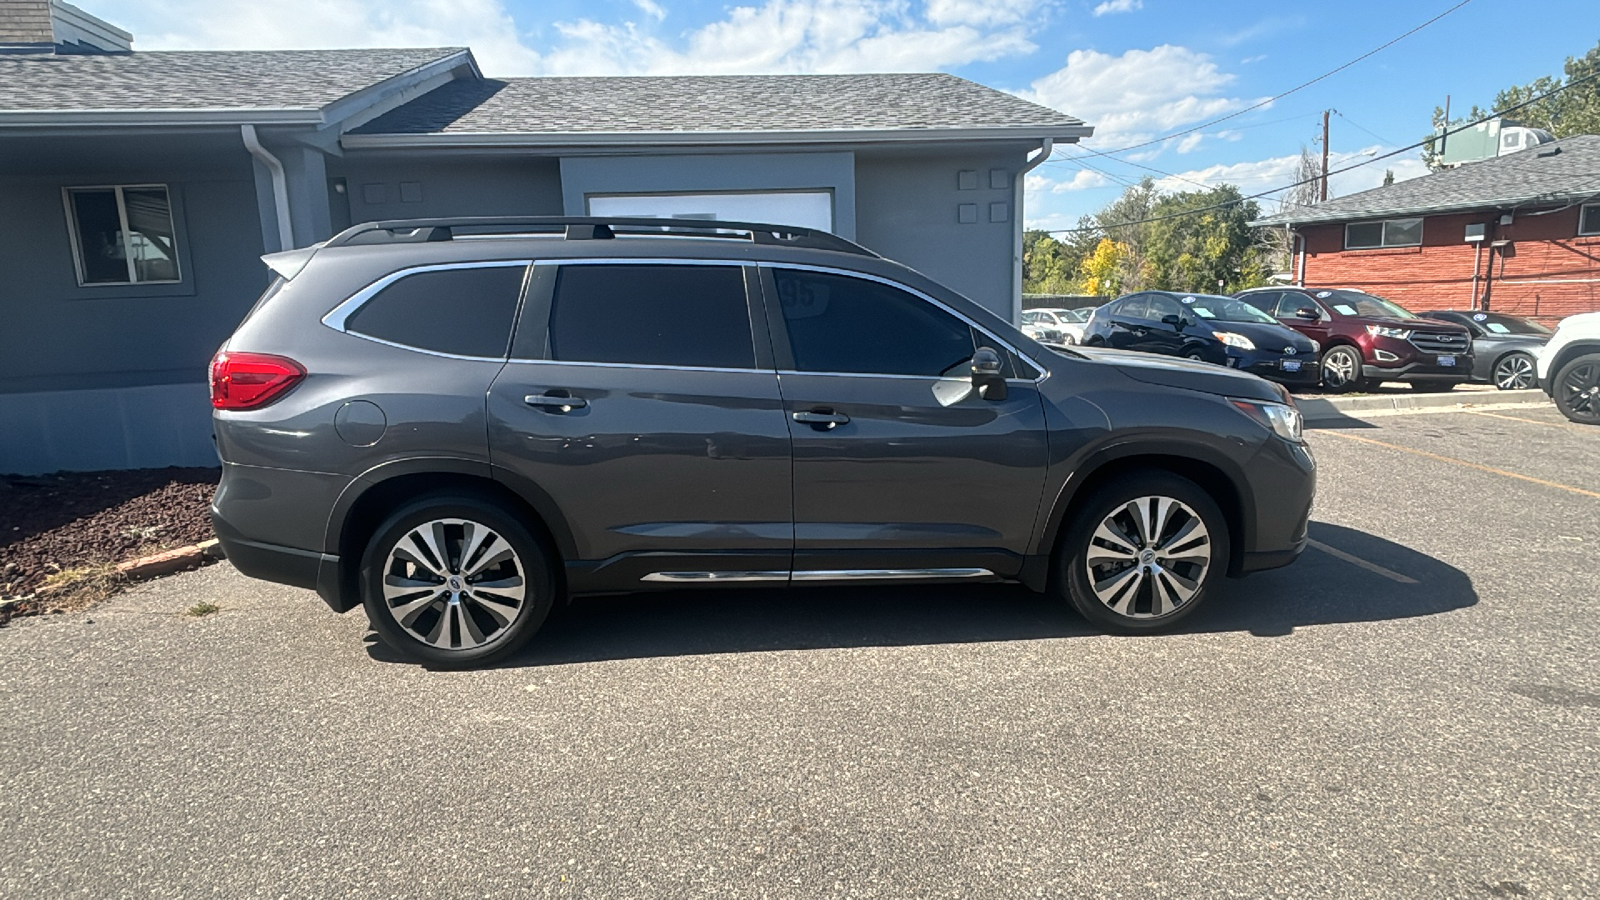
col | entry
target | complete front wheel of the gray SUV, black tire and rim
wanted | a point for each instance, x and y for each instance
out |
(1151, 592)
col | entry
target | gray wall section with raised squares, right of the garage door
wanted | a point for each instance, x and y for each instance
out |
(910, 209)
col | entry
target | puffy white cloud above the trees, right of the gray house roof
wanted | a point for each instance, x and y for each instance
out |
(1138, 95)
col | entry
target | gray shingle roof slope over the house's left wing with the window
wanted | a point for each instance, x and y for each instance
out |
(191, 81)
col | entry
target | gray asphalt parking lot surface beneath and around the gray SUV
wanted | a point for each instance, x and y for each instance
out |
(1412, 710)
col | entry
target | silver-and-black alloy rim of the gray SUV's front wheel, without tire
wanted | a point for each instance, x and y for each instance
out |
(1150, 558)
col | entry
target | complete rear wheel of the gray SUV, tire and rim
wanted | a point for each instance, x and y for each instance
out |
(470, 627)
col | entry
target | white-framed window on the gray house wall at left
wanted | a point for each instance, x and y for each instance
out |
(124, 235)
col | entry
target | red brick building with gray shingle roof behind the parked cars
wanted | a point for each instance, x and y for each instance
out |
(1516, 235)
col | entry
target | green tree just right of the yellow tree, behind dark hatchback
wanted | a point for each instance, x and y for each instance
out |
(1206, 244)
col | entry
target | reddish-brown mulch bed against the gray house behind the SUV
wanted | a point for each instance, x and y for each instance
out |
(90, 520)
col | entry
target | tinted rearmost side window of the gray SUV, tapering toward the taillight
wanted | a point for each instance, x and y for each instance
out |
(452, 311)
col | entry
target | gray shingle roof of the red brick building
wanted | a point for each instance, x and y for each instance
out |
(1556, 174)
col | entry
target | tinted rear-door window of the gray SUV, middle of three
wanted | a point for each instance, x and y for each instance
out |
(652, 316)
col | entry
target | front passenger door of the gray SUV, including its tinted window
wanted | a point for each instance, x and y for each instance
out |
(900, 467)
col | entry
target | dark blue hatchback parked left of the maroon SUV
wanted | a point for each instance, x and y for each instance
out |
(1209, 329)
